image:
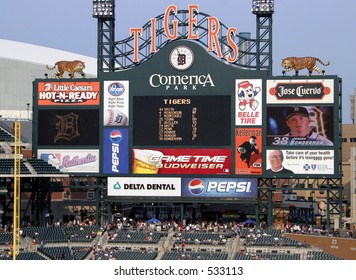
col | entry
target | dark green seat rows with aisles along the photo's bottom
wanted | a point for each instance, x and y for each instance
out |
(81, 242)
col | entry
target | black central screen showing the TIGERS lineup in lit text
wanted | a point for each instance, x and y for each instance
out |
(182, 120)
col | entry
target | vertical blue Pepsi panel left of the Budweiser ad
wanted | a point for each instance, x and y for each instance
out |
(116, 151)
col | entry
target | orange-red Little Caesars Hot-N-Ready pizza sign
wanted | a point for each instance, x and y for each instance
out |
(68, 93)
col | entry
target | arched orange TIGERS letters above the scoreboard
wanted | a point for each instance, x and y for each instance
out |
(171, 31)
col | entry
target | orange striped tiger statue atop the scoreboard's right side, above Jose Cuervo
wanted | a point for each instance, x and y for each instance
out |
(297, 63)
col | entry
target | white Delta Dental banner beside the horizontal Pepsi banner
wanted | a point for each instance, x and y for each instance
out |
(144, 186)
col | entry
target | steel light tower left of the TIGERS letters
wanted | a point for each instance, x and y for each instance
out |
(104, 11)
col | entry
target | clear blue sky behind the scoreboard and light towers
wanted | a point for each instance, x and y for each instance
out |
(319, 28)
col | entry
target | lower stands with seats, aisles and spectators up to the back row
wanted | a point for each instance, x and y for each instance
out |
(130, 240)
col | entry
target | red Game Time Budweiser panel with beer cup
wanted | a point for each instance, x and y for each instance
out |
(181, 161)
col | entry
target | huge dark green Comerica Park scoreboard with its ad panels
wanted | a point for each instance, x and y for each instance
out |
(183, 115)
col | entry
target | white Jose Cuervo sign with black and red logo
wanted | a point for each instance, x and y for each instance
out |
(290, 91)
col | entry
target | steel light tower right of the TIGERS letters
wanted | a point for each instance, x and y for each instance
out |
(263, 9)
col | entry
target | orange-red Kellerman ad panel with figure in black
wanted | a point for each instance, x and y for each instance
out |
(248, 153)
